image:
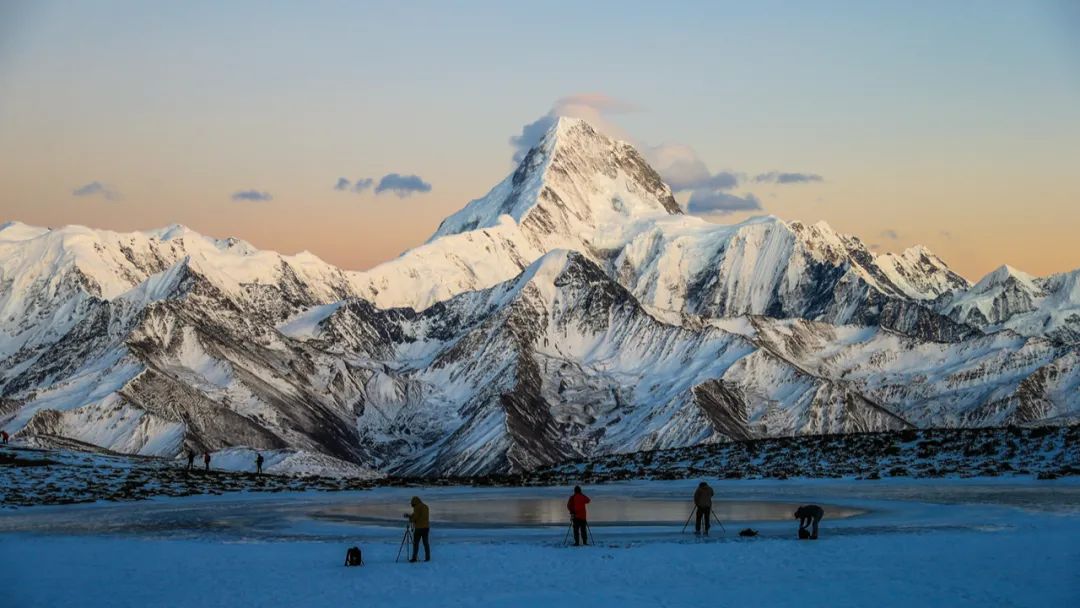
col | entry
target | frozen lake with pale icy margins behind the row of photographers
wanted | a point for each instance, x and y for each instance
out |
(638, 510)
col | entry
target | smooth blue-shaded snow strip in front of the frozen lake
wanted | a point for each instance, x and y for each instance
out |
(1033, 564)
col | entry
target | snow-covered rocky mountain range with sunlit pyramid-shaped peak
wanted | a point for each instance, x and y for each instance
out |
(573, 312)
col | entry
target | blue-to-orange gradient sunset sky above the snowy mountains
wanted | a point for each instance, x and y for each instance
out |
(951, 125)
